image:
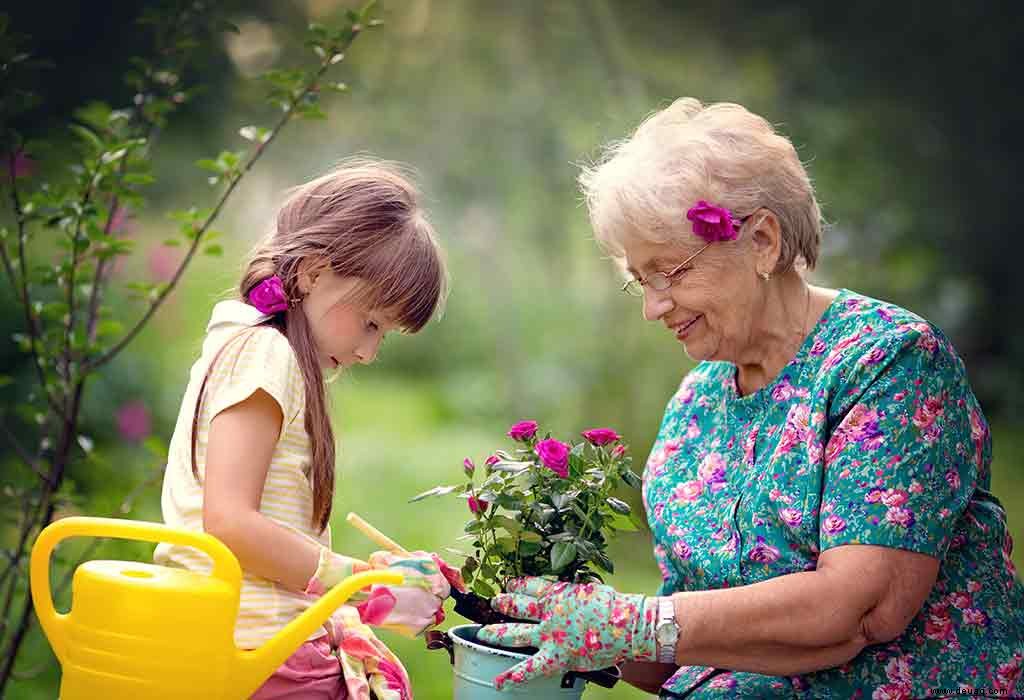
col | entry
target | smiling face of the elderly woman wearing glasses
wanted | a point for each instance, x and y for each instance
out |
(711, 307)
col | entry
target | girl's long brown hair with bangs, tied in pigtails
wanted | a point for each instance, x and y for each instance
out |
(363, 221)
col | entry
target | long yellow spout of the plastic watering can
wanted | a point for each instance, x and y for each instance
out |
(257, 667)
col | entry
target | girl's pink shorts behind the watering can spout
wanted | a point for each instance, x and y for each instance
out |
(313, 673)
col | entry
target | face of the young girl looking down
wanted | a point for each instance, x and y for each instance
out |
(346, 333)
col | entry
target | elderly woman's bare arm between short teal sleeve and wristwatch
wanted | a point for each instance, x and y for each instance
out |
(860, 595)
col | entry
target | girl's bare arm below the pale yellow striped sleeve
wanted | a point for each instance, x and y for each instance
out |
(238, 458)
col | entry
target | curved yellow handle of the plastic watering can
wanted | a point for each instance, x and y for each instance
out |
(226, 566)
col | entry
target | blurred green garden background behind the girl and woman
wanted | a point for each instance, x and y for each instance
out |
(908, 115)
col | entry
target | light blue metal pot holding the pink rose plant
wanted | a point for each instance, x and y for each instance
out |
(477, 666)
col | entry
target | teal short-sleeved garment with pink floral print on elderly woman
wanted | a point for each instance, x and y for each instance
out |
(870, 435)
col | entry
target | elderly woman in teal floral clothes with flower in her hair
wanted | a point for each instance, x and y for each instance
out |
(819, 493)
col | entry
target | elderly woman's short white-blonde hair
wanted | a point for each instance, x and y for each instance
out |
(722, 154)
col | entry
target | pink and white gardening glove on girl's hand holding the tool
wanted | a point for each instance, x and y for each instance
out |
(416, 605)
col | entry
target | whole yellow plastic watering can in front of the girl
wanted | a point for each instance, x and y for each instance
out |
(156, 633)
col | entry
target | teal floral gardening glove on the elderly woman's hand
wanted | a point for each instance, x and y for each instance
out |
(583, 627)
